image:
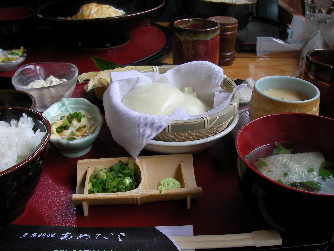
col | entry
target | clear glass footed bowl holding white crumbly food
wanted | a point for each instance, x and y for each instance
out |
(46, 96)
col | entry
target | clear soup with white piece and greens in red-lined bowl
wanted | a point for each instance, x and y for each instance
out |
(304, 170)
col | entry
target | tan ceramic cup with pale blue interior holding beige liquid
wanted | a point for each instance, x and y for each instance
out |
(262, 104)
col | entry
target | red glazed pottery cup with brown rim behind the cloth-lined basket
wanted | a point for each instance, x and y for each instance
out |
(195, 39)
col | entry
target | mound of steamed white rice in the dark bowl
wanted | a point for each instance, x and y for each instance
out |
(18, 141)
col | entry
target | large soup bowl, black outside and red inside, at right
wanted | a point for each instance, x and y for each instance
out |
(284, 207)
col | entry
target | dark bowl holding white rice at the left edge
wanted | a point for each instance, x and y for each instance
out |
(17, 183)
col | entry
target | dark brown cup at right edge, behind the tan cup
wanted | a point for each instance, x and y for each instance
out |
(319, 70)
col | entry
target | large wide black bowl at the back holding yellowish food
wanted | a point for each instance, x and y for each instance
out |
(98, 32)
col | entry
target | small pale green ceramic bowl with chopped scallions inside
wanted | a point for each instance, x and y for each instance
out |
(79, 146)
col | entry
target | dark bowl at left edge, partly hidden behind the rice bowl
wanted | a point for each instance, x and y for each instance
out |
(16, 98)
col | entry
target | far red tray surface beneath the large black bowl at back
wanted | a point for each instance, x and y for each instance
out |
(144, 42)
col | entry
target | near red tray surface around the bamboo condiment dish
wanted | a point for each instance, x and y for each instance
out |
(220, 210)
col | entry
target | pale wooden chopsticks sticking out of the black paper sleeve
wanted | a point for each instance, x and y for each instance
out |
(256, 238)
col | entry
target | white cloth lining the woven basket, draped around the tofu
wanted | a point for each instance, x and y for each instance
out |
(133, 130)
